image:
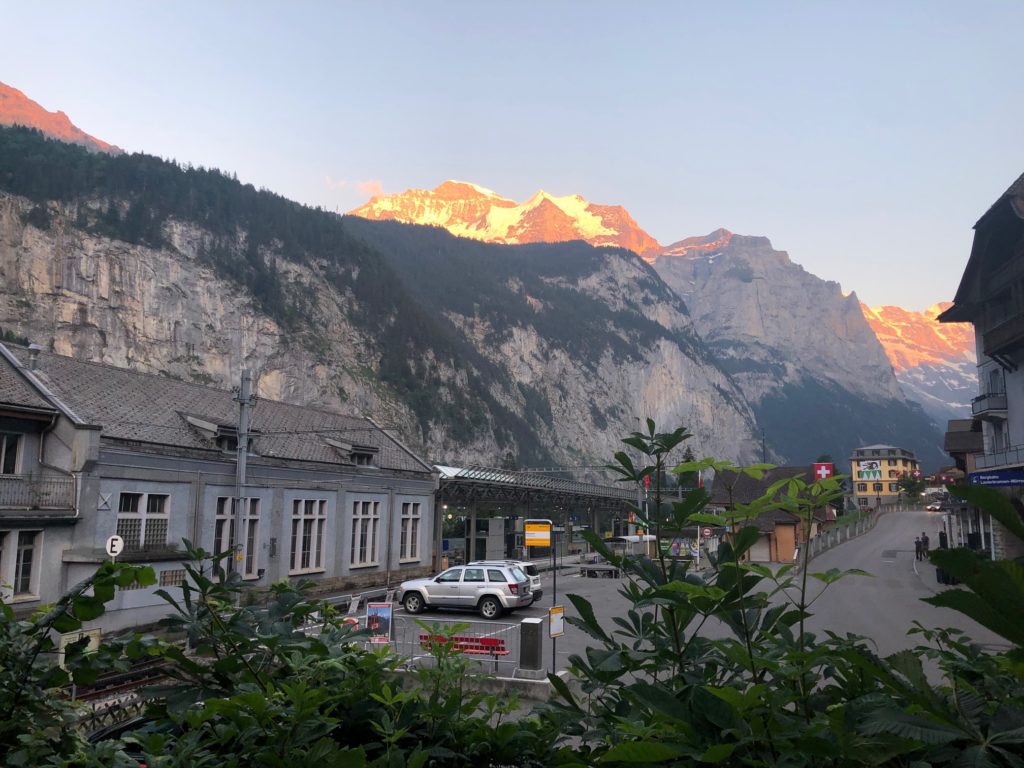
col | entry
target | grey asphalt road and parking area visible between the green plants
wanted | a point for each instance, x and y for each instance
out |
(882, 607)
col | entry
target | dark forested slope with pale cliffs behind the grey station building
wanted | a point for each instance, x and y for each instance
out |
(476, 353)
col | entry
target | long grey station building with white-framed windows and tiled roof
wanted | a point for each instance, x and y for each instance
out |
(89, 451)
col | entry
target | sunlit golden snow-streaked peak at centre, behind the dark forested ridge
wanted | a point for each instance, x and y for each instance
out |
(471, 211)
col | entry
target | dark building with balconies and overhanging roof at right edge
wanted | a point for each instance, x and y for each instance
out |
(992, 297)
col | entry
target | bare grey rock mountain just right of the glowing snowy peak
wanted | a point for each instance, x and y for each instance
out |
(802, 353)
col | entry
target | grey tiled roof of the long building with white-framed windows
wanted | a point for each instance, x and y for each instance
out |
(147, 408)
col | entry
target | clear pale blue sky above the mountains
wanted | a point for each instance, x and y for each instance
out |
(865, 139)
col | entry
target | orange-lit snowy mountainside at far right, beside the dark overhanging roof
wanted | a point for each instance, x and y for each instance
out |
(935, 363)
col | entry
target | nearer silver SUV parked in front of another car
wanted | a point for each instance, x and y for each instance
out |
(489, 589)
